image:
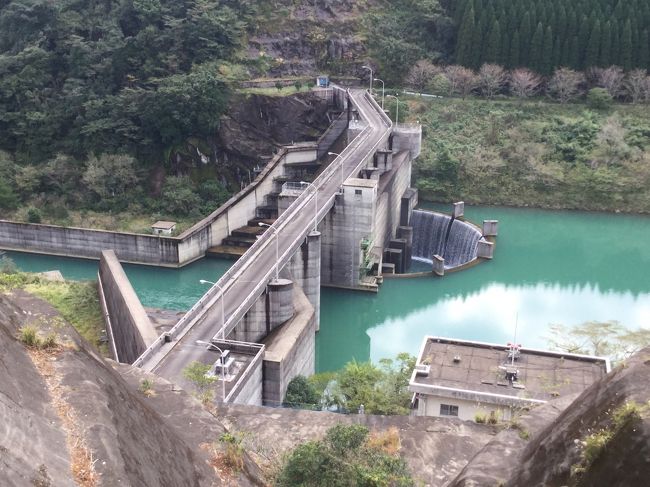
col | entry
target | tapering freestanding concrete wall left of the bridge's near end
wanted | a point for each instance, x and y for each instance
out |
(129, 329)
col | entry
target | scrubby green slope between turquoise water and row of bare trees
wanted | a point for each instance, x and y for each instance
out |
(534, 153)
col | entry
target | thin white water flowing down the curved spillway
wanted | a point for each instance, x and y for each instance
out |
(433, 235)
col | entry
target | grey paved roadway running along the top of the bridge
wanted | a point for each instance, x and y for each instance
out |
(246, 280)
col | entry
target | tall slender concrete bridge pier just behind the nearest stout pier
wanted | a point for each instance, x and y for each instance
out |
(304, 268)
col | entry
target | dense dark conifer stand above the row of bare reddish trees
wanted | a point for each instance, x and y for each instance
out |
(546, 34)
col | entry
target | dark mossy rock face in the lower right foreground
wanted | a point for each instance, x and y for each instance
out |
(602, 438)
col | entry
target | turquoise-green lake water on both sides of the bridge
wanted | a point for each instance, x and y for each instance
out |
(549, 267)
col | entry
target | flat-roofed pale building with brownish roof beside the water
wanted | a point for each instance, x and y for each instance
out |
(464, 378)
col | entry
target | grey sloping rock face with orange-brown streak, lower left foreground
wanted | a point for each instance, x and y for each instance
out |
(68, 418)
